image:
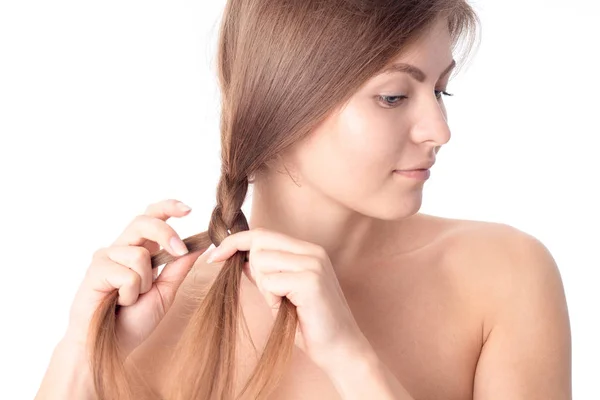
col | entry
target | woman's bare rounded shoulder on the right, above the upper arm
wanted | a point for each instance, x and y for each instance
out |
(503, 267)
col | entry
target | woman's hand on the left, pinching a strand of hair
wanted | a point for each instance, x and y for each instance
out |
(143, 296)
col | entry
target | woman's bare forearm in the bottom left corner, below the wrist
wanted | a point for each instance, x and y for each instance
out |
(68, 376)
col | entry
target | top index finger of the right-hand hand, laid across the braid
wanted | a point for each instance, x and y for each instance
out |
(260, 238)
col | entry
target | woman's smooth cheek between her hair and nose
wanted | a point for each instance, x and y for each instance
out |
(352, 155)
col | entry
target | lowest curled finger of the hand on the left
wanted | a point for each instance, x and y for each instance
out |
(106, 275)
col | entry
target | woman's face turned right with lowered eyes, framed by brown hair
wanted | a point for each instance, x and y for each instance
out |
(352, 156)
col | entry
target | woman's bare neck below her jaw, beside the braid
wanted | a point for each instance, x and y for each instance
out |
(303, 213)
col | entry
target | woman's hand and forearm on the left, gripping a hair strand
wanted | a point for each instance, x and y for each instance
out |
(145, 297)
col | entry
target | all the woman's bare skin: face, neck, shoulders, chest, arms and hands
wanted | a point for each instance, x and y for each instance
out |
(450, 309)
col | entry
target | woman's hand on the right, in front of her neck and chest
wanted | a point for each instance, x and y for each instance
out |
(301, 271)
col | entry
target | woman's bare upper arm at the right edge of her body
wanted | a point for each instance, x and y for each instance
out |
(527, 353)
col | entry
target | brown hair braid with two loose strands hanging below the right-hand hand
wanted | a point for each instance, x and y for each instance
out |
(216, 319)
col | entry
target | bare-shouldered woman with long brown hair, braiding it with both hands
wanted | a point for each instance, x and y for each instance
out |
(333, 110)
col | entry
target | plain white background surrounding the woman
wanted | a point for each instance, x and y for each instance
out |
(108, 106)
